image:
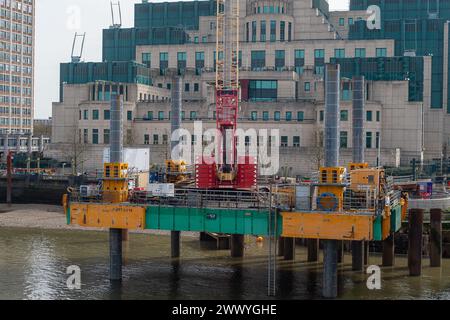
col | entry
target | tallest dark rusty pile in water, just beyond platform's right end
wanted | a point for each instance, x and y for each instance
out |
(415, 242)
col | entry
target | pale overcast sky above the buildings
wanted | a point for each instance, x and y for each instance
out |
(56, 24)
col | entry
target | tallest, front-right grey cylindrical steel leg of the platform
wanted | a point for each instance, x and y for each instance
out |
(332, 102)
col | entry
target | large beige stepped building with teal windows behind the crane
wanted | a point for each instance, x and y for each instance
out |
(284, 47)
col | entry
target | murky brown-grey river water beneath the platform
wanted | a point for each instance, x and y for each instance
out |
(33, 266)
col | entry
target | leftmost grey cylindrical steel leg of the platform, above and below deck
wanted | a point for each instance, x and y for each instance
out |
(116, 156)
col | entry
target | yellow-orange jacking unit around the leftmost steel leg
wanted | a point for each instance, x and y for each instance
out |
(115, 182)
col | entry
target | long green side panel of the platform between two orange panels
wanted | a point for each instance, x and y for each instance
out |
(228, 221)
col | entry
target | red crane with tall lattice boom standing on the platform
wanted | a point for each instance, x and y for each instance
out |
(227, 170)
